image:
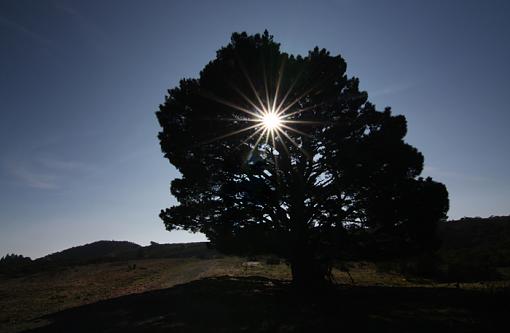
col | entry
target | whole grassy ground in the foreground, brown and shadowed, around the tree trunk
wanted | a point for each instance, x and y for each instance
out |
(229, 295)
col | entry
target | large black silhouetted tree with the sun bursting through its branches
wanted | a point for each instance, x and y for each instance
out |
(334, 173)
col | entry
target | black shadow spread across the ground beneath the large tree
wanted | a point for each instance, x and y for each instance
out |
(255, 304)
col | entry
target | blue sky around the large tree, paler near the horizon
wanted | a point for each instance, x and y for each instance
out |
(80, 82)
